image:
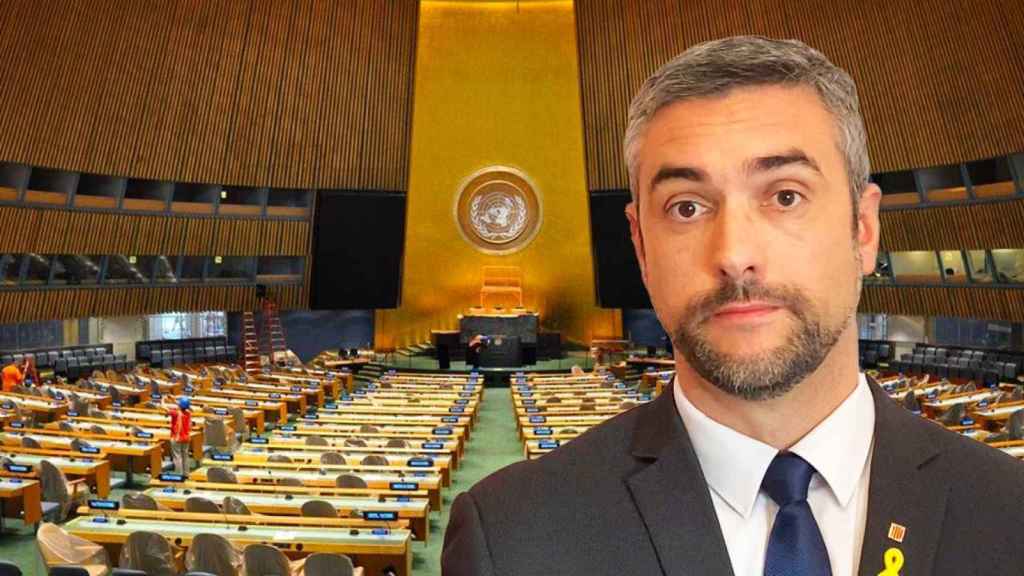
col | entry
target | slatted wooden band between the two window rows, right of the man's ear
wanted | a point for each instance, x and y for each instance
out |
(964, 227)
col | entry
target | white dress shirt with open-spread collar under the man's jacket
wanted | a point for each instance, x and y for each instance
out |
(735, 465)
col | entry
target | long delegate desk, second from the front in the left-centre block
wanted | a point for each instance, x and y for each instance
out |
(416, 512)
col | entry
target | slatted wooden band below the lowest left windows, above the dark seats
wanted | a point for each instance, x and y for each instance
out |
(34, 306)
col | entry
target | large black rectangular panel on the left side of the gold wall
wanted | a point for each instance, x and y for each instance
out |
(359, 239)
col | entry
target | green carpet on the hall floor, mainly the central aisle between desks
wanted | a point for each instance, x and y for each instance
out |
(494, 445)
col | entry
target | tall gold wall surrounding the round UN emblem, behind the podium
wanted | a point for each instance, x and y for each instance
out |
(497, 84)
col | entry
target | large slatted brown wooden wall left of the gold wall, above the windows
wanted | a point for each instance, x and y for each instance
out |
(291, 95)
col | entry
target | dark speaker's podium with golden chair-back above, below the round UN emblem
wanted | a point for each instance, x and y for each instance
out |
(509, 330)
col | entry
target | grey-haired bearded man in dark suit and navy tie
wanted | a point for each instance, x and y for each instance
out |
(753, 221)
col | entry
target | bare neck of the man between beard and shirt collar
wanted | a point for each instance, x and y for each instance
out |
(783, 422)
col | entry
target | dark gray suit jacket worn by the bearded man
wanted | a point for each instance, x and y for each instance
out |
(628, 498)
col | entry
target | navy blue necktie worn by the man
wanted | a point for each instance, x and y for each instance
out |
(796, 548)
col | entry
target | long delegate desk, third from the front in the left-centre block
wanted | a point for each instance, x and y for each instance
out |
(319, 479)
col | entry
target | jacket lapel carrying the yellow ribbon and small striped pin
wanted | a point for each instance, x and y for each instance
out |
(908, 488)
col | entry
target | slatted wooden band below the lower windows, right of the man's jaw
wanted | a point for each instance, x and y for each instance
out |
(992, 304)
